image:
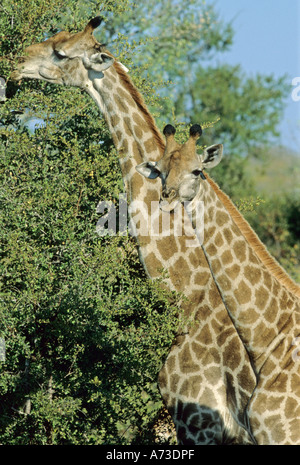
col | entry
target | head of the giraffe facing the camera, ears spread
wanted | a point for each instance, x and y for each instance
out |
(181, 168)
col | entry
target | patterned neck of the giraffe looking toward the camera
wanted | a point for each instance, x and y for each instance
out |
(259, 304)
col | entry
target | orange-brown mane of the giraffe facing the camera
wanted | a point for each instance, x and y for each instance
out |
(270, 263)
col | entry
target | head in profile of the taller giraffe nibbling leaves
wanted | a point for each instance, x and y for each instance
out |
(69, 59)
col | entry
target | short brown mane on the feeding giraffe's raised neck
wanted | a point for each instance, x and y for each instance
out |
(141, 105)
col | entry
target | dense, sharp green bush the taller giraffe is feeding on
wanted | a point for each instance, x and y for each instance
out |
(85, 331)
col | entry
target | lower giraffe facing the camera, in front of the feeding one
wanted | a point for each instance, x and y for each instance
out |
(261, 299)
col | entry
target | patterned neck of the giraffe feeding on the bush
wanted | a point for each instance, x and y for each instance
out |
(137, 139)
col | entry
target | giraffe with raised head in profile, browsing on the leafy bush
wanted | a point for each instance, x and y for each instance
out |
(206, 380)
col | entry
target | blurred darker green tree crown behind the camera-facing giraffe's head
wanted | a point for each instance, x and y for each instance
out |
(249, 107)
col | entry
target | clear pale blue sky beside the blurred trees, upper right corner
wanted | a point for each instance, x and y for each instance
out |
(267, 41)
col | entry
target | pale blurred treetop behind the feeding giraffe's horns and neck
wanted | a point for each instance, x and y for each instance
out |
(173, 37)
